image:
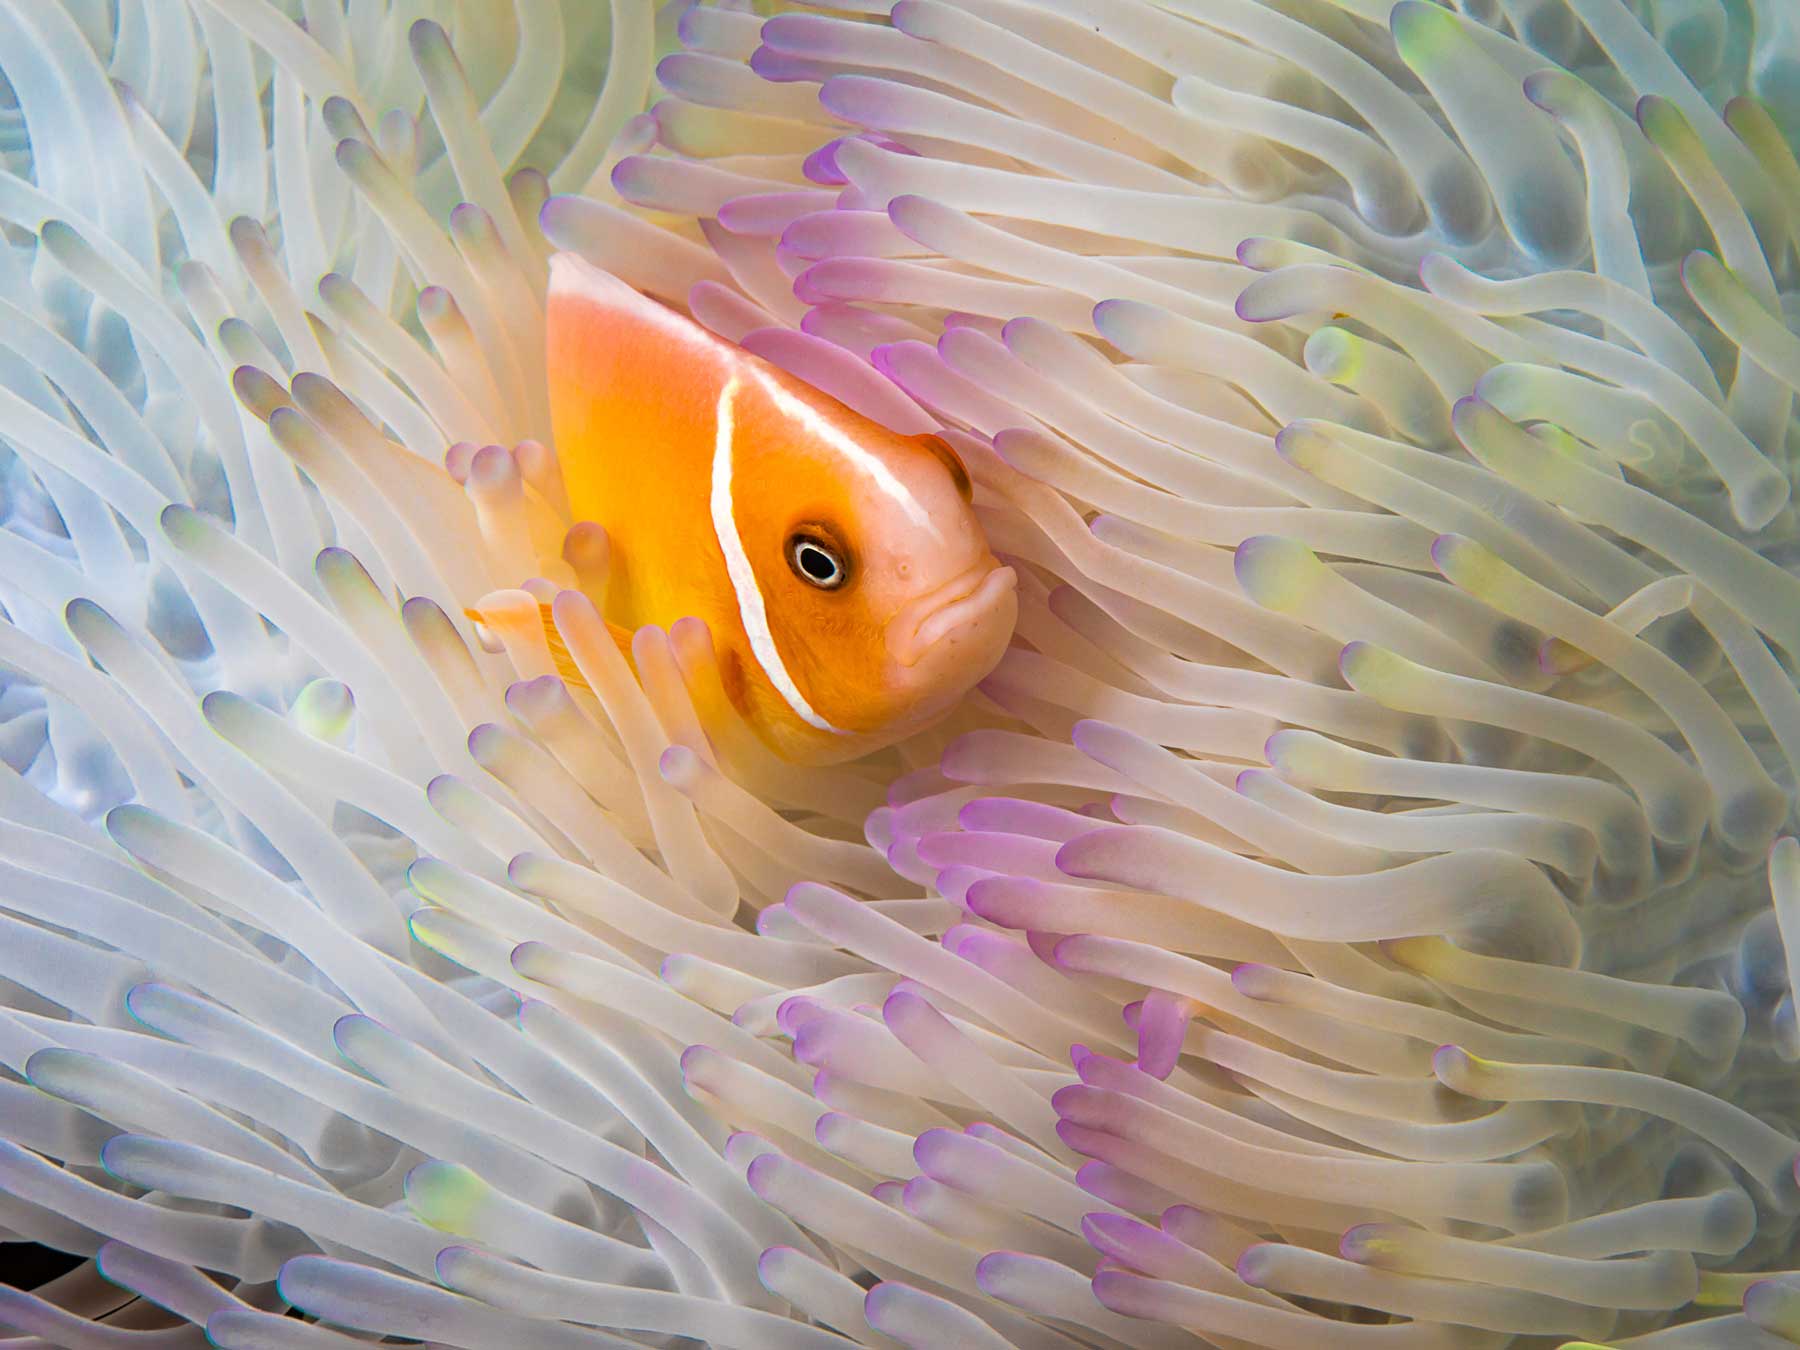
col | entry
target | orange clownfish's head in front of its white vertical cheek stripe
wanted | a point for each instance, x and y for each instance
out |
(883, 602)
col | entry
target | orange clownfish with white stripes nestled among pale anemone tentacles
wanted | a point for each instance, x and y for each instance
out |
(840, 566)
